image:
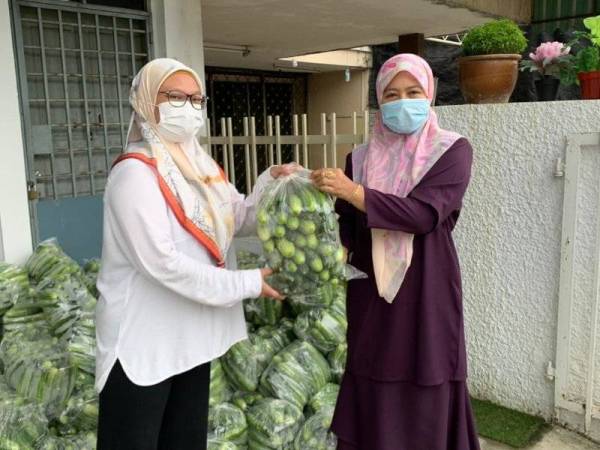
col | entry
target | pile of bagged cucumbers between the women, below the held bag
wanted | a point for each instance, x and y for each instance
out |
(277, 390)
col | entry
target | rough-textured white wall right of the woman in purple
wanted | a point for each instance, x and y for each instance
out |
(509, 241)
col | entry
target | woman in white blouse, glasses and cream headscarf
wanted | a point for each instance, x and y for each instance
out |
(168, 305)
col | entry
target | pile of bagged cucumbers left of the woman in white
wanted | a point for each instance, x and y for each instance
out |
(47, 353)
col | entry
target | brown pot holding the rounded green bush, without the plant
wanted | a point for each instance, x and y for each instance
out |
(488, 78)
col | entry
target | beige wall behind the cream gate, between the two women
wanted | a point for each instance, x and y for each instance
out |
(329, 93)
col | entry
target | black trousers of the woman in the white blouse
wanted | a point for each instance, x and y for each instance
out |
(171, 415)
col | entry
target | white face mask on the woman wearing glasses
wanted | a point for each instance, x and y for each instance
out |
(179, 124)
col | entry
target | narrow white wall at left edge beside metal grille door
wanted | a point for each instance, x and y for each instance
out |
(15, 229)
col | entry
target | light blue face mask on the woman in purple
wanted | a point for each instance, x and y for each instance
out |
(405, 116)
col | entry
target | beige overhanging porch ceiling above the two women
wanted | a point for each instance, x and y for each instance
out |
(273, 29)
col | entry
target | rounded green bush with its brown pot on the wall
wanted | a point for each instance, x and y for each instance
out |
(489, 69)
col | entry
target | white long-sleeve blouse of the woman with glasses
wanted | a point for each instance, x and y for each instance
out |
(164, 306)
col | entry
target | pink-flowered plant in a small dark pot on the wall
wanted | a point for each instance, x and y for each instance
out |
(548, 60)
